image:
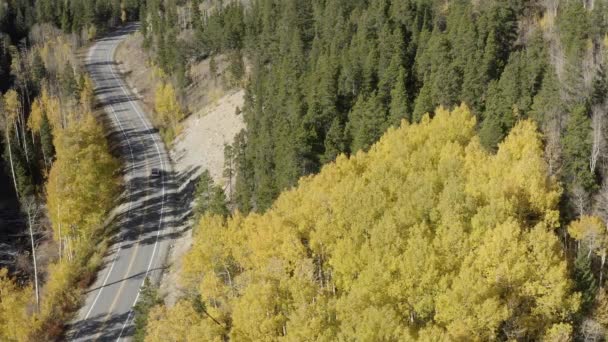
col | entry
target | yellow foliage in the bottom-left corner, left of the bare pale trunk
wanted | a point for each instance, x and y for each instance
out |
(15, 309)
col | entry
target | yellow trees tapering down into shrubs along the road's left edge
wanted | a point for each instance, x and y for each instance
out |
(80, 190)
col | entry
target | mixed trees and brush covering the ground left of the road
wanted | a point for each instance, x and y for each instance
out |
(56, 152)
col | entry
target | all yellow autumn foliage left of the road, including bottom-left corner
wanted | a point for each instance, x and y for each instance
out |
(80, 189)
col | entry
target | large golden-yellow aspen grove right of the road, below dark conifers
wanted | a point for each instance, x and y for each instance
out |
(427, 236)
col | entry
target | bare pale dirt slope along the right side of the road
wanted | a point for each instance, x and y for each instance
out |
(213, 122)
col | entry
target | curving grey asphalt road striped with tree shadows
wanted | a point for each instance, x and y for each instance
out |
(143, 217)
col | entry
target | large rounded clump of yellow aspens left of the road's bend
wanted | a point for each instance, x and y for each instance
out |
(81, 184)
